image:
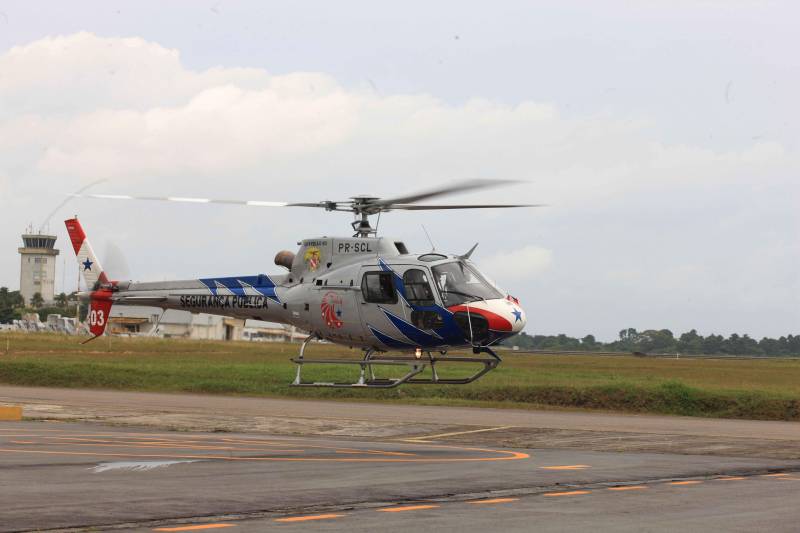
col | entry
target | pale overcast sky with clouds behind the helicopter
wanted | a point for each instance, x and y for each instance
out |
(664, 135)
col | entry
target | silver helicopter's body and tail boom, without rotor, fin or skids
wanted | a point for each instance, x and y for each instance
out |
(365, 292)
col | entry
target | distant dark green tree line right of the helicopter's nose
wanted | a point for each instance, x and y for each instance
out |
(663, 341)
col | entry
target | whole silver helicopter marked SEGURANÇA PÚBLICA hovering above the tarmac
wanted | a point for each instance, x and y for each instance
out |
(362, 291)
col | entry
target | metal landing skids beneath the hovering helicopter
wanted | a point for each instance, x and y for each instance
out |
(416, 365)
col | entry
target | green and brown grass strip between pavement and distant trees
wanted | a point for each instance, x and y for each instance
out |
(758, 389)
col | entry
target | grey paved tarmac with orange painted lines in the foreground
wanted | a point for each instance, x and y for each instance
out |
(58, 473)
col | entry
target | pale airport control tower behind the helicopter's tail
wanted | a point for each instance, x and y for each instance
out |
(38, 266)
